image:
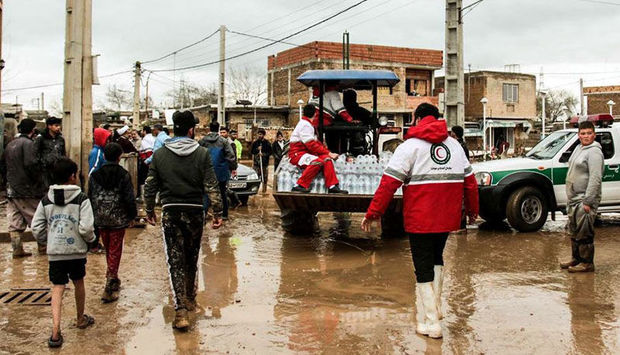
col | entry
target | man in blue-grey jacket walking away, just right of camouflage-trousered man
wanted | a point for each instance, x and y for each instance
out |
(223, 160)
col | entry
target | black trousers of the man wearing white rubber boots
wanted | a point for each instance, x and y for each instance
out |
(427, 251)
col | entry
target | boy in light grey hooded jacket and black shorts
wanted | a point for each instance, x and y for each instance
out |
(64, 222)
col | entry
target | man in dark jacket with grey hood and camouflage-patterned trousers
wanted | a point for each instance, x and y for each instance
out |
(182, 172)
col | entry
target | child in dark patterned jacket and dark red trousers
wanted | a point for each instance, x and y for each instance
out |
(114, 204)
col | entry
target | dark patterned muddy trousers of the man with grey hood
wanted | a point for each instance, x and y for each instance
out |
(182, 229)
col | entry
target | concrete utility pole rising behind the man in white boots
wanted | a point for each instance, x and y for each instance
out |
(454, 79)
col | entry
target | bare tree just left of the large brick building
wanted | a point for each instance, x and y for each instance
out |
(247, 84)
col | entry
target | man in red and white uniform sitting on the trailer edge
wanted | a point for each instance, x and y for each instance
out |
(309, 154)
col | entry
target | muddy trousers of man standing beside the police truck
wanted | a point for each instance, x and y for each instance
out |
(581, 229)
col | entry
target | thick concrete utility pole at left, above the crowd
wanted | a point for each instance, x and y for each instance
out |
(78, 97)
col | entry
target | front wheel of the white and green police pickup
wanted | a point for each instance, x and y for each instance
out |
(527, 209)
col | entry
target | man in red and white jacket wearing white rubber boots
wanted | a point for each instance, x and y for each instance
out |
(436, 174)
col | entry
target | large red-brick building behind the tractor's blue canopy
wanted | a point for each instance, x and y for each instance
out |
(415, 68)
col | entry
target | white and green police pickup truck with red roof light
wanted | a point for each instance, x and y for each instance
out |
(524, 190)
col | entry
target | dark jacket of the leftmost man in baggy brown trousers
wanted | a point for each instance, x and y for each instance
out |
(23, 172)
